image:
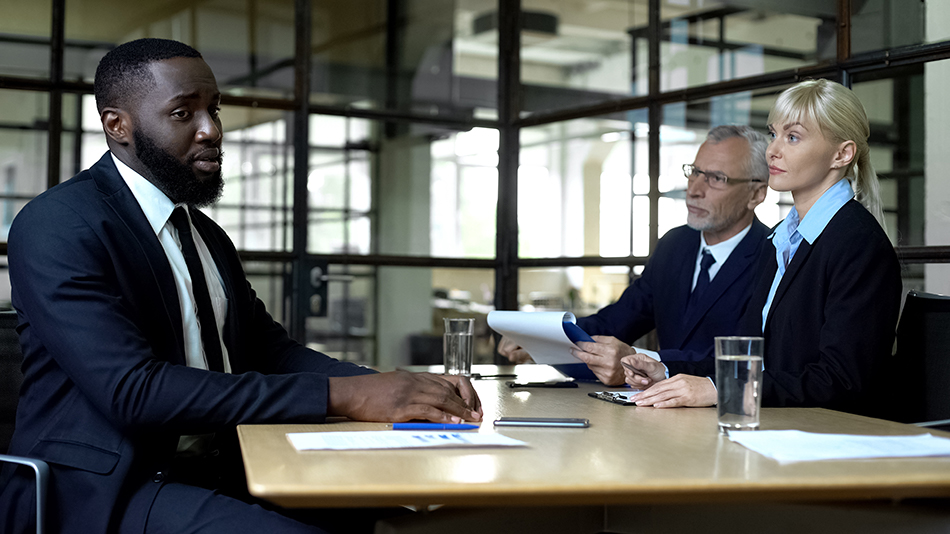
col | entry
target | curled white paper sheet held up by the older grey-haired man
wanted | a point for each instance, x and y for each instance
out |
(541, 334)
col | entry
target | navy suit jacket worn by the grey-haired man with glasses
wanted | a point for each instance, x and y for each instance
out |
(658, 298)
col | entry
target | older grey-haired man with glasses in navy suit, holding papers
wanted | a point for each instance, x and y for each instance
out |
(698, 281)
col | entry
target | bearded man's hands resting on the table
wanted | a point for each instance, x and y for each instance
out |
(403, 396)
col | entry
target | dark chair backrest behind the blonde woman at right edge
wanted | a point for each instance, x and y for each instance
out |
(923, 349)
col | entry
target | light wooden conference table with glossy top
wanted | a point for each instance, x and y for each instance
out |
(628, 455)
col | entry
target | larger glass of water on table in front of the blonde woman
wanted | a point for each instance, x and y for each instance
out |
(739, 381)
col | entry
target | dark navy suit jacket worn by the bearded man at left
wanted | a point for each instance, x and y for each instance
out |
(106, 392)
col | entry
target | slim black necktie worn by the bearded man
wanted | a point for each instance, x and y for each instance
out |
(206, 323)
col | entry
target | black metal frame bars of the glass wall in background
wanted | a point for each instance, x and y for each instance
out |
(511, 120)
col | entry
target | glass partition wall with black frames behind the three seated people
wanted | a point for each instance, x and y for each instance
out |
(390, 163)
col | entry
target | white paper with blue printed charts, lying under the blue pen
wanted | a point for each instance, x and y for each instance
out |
(396, 439)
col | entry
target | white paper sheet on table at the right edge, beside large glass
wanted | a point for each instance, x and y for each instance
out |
(789, 446)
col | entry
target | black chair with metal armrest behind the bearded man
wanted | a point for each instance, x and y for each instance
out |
(10, 360)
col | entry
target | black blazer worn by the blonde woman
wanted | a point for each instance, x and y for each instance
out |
(832, 321)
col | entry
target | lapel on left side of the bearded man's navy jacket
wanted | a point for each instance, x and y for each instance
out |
(119, 199)
